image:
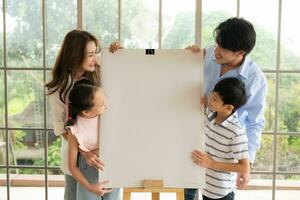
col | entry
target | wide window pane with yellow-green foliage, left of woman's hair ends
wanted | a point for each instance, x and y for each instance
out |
(25, 99)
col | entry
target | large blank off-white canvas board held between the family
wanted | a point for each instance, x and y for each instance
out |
(154, 118)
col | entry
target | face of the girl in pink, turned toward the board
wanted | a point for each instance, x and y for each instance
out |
(100, 104)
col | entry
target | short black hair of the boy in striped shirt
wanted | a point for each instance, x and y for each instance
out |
(232, 91)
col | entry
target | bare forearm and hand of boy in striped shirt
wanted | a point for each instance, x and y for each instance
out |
(204, 160)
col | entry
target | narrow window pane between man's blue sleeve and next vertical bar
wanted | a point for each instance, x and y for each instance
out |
(270, 103)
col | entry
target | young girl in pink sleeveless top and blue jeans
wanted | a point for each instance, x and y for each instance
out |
(86, 103)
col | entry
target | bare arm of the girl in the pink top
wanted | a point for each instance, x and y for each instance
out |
(75, 171)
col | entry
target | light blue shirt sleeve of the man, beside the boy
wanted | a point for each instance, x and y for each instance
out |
(254, 120)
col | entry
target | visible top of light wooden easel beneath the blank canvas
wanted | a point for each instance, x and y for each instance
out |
(154, 187)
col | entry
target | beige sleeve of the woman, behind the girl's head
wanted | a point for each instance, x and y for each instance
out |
(58, 113)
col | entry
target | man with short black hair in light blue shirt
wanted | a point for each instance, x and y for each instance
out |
(235, 39)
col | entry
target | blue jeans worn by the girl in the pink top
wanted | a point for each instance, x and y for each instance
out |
(92, 175)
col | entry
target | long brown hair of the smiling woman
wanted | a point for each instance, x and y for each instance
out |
(71, 56)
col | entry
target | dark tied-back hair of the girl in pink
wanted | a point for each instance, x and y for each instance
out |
(80, 99)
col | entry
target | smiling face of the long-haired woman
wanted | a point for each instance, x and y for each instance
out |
(90, 57)
